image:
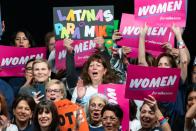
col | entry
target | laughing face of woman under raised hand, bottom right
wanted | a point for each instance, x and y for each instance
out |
(147, 117)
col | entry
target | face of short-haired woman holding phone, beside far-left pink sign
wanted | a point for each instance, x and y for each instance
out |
(41, 72)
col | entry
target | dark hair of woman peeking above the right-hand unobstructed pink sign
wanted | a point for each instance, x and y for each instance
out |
(170, 58)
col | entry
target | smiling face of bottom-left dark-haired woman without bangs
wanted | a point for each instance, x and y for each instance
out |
(22, 112)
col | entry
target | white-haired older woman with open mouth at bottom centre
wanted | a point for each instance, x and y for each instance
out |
(94, 107)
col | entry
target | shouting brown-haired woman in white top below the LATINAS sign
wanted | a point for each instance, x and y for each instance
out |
(96, 71)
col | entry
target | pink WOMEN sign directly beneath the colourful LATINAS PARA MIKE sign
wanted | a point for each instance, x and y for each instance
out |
(82, 48)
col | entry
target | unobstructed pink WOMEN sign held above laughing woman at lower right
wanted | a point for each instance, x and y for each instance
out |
(162, 83)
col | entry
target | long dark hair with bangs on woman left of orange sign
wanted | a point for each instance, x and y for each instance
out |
(49, 107)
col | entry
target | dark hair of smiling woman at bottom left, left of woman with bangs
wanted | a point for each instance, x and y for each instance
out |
(30, 101)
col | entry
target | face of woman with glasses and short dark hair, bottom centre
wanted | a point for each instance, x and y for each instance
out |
(110, 121)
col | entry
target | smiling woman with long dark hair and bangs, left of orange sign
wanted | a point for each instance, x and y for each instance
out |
(46, 117)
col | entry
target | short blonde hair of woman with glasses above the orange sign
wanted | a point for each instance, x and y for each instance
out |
(58, 82)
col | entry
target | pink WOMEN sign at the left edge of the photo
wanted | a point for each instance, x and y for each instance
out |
(13, 59)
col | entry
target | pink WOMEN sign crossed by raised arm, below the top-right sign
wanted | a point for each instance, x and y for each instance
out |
(155, 37)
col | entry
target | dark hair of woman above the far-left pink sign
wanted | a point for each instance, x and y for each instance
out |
(27, 34)
